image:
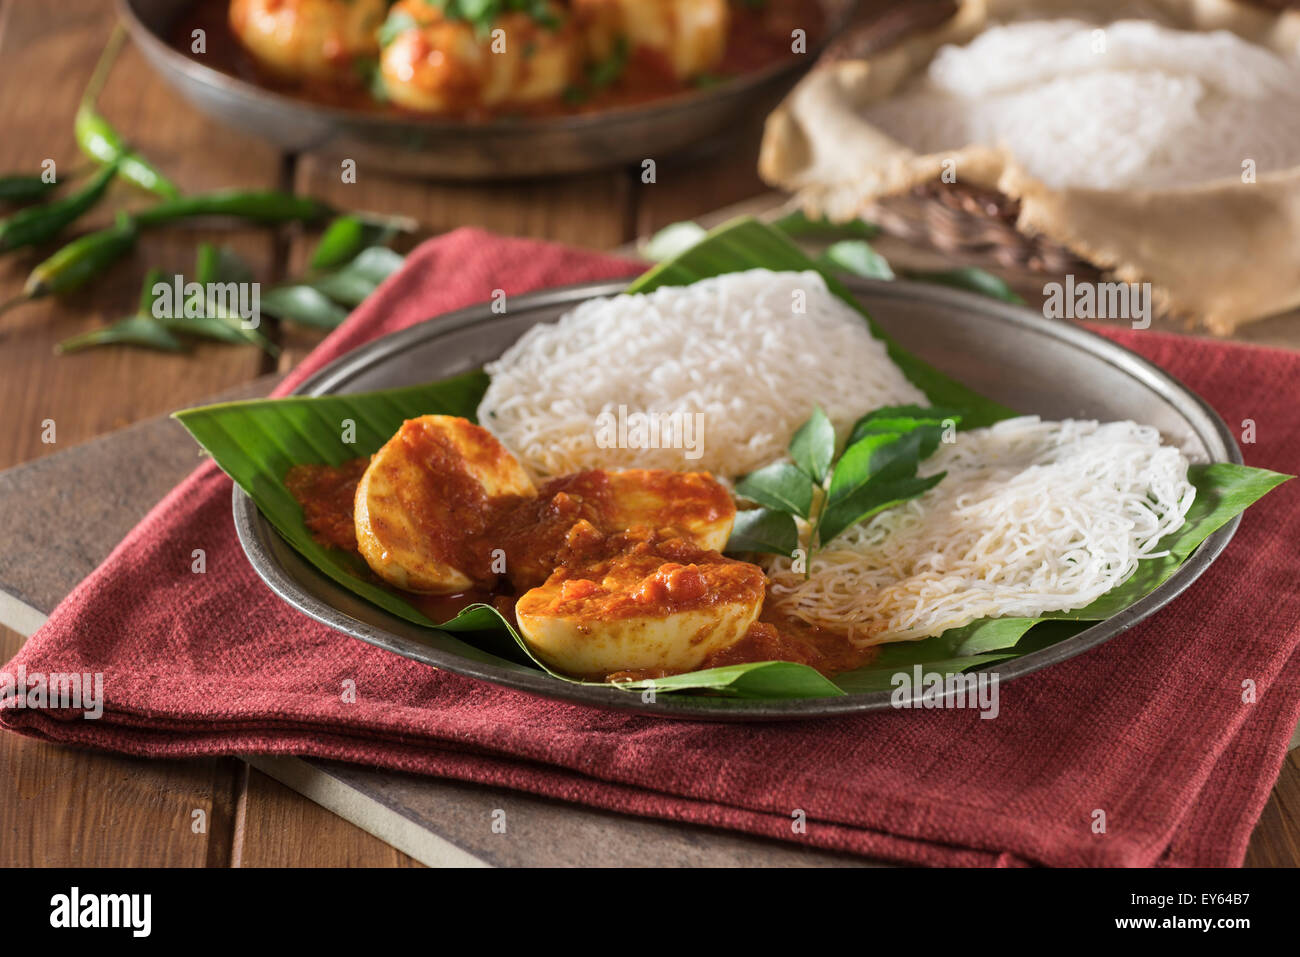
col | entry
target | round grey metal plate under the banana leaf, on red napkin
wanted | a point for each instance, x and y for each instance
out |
(1006, 353)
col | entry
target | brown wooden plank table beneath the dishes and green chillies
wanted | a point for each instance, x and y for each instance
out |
(62, 807)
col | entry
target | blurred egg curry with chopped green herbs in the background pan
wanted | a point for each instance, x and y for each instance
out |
(495, 58)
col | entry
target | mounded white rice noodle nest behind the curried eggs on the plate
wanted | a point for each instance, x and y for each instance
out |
(751, 353)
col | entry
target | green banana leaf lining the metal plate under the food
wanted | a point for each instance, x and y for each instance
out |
(257, 443)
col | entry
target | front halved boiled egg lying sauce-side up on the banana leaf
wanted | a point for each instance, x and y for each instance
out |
(660, 607)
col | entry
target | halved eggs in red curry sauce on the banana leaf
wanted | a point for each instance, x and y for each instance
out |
(608, 575)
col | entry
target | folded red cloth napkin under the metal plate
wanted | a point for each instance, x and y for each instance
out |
(1151, 729)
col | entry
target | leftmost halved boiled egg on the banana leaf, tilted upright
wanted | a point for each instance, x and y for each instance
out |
(426, 499)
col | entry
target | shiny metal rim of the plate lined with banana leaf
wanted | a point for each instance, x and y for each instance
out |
(261, 540)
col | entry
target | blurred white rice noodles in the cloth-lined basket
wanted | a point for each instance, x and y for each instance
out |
(1137, 106)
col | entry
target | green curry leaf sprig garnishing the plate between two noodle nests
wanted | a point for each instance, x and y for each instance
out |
(830, 493)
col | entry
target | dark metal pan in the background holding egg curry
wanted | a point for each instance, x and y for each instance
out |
(453, 150)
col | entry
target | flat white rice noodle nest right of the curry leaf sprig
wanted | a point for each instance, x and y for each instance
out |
(1033, 517)
